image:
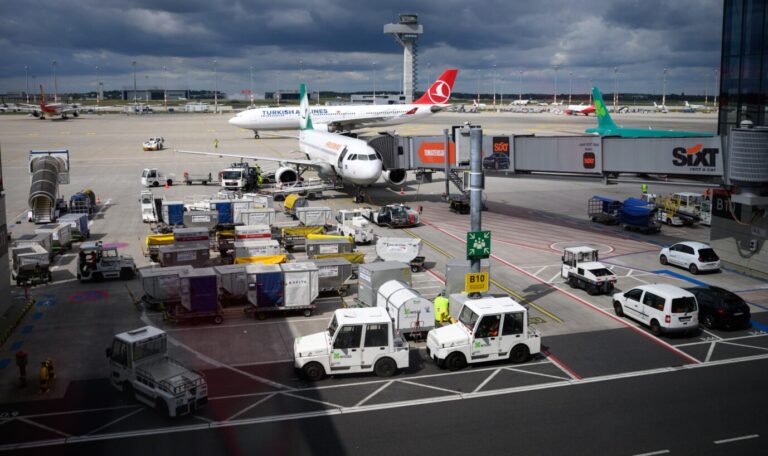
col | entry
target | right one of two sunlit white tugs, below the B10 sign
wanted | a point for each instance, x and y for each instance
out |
(488, 329)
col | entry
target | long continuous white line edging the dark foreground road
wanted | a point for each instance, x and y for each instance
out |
(368, 408)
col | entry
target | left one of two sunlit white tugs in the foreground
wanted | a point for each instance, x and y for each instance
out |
(357, 340)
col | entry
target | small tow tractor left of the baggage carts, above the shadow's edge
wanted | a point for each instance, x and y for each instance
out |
(95, 262)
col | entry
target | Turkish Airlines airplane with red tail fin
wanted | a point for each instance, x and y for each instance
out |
(345, 118)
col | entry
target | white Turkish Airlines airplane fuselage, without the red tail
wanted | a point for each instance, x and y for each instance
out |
(287, 118)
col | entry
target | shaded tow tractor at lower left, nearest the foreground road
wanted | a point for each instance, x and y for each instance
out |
(140, 367)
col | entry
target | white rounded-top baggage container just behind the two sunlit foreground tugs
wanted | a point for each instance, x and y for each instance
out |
(410, 312)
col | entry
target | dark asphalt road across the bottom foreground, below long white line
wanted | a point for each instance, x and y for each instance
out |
(714, 410)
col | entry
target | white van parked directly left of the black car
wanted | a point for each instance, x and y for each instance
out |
(664, 308)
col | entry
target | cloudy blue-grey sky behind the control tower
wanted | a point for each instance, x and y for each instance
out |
(340, 45)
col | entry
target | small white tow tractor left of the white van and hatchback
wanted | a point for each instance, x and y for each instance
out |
(581, 269)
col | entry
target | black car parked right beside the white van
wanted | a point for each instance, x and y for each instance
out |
(719, 307)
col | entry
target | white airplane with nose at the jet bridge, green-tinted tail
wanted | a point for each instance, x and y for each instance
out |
(334, 157)
